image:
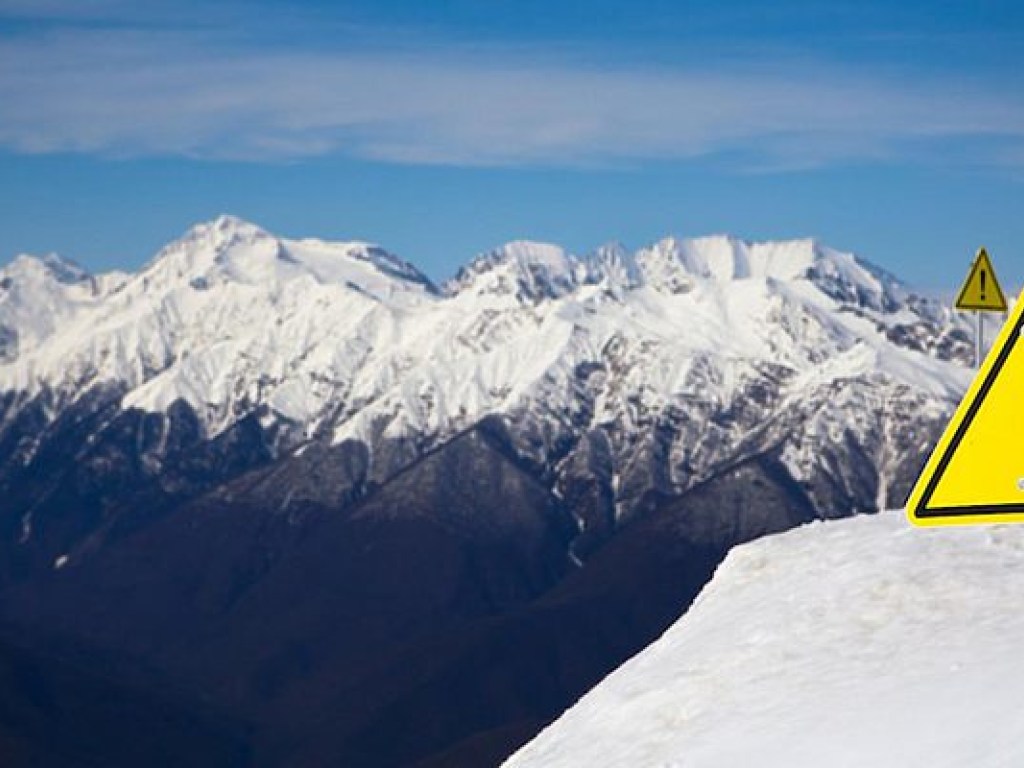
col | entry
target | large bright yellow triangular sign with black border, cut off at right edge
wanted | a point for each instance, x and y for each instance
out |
(976, 474)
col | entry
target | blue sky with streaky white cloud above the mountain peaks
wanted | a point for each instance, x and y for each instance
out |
(442, 130)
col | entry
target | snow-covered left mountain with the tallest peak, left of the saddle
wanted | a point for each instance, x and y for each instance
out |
(226, 319)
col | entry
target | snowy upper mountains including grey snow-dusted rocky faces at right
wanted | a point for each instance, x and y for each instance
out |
(678, 361)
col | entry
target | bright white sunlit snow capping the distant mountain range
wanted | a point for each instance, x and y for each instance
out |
(347, 337)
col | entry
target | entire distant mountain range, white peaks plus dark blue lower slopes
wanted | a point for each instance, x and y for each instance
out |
(520, 452)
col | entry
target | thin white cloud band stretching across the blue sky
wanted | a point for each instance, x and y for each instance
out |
(133, 94)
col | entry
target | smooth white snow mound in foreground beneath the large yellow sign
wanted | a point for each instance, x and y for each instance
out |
(862, 643)
